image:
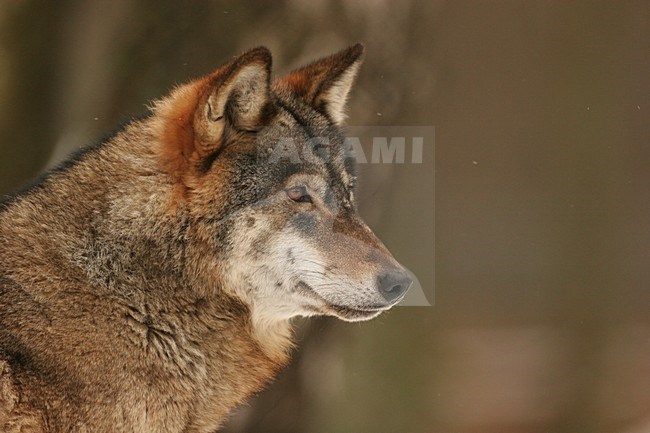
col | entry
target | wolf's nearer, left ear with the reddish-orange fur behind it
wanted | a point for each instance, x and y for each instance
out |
(193, 118)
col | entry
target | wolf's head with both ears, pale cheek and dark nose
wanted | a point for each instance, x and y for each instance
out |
(269, 187)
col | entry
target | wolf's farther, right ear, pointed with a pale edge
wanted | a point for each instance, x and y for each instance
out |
(326, 83)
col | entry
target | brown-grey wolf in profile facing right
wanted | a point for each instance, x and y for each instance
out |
(149, 283)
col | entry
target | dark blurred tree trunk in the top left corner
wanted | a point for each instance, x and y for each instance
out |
(30, 35)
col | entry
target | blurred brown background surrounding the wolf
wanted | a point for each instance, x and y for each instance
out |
(542, 200)
